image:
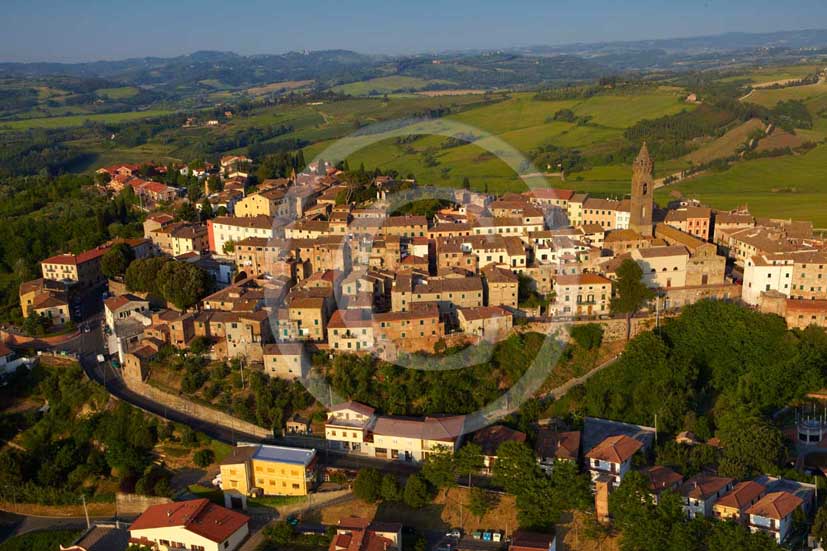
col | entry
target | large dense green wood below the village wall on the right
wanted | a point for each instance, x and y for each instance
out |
(718, 369)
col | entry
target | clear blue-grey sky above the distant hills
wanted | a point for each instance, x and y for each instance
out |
(90, 30)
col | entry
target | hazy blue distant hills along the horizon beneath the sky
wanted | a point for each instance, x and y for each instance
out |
(208, 71)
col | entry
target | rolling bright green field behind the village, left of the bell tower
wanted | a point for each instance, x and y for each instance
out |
(521, 122)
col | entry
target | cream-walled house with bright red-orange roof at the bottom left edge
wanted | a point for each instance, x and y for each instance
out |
(197, 524)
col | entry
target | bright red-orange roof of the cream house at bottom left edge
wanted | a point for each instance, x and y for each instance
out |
(199, 516)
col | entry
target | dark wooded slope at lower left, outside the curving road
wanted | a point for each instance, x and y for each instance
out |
(79, 444)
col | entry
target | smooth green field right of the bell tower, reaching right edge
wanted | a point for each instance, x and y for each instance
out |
(783, 187)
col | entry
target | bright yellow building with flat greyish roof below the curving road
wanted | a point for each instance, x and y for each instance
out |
(269, 470)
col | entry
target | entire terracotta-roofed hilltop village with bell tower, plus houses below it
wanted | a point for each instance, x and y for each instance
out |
(274, 274)
